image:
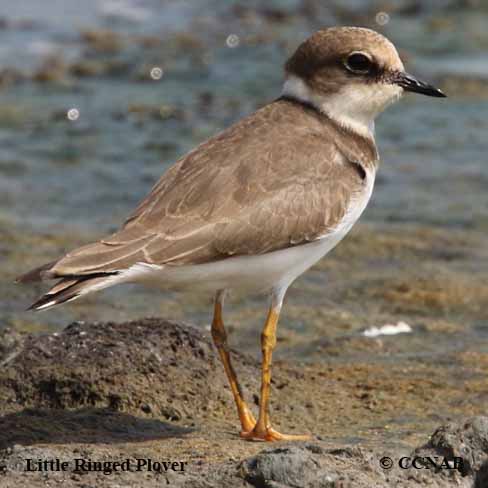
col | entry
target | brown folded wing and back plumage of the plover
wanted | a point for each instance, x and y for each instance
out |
(276, 179)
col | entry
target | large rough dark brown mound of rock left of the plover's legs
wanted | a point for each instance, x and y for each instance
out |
(137, 367)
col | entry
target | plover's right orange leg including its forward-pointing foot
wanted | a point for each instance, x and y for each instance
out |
(263, 431)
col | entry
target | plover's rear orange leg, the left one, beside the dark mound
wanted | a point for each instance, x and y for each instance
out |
(219, 336)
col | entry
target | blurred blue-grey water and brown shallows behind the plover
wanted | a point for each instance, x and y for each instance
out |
(98, 98)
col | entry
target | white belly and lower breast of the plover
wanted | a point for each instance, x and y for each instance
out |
(253, 273)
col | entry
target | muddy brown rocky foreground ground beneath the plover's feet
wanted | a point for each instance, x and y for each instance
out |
(154, 389)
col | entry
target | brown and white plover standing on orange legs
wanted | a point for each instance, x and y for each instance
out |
(256, 205)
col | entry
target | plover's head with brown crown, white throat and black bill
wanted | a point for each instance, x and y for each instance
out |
(351, 74)
